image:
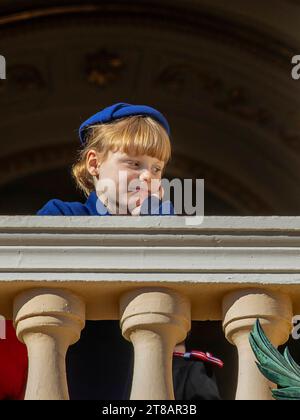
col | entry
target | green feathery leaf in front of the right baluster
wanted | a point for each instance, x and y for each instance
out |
(279, 369)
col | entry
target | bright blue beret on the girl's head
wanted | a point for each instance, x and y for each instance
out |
(121, 110)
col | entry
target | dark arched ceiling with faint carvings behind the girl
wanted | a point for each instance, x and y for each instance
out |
(220, 72)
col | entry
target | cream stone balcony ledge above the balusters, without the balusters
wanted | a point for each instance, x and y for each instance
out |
(99, 259)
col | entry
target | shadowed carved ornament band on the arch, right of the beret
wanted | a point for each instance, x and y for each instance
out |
(234, 100)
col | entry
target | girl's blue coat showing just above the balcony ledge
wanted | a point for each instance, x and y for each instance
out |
(92, 207)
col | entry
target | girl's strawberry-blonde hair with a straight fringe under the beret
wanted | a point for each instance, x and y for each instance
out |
(135, 135)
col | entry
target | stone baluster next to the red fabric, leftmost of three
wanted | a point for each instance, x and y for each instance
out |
(48, 321)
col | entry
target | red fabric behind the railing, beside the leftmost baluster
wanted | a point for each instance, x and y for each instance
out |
(13, 365)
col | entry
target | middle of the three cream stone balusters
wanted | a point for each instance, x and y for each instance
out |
(154, 320)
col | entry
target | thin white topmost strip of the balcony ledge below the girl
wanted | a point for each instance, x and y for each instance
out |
(259, 224)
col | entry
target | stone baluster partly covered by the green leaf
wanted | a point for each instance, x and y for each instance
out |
(240, 311)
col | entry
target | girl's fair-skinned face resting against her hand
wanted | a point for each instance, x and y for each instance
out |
(131, 179)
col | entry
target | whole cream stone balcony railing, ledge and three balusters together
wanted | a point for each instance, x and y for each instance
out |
(155, 275)
